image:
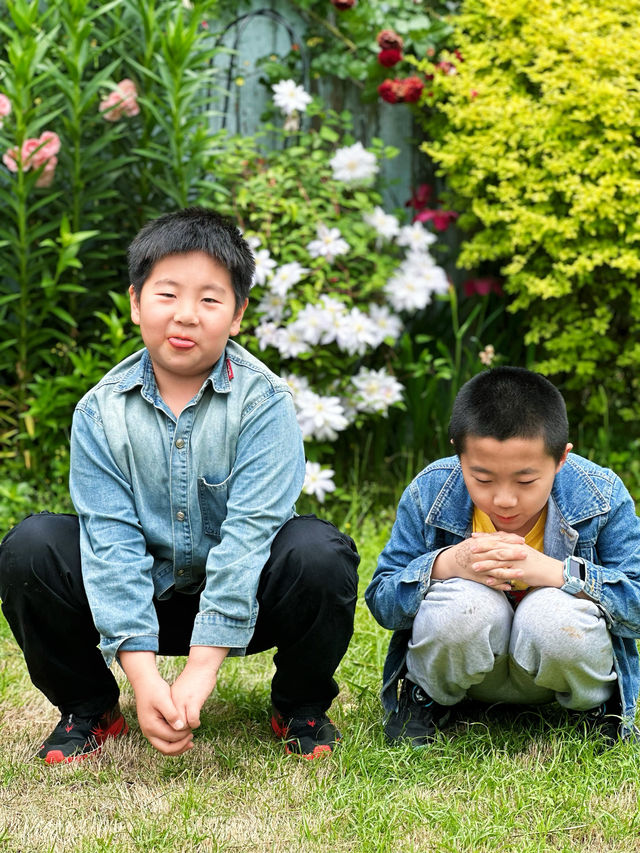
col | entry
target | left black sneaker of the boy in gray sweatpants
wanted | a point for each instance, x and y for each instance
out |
(417, 717)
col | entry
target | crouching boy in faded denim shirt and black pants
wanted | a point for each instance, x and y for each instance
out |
(186, 462)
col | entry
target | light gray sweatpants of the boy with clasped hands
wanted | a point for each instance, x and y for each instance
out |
(467, 641)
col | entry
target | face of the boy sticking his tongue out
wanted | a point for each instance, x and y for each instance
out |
(186, 313)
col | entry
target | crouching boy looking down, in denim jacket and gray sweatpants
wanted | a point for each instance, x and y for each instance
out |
(512, 573)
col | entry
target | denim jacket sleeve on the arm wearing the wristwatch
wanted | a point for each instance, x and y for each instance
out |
(614, 582)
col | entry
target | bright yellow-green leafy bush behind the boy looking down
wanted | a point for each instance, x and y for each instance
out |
(537, 132)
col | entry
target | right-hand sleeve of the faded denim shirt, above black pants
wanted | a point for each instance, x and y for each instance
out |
(266, 480)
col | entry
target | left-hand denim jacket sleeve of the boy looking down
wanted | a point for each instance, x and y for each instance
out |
(403, 574)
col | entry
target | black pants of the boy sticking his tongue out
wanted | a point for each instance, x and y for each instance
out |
(307, 596)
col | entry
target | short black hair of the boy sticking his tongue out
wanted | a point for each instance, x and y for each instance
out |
(193, 229)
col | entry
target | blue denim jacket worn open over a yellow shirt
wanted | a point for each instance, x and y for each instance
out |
(590, 514)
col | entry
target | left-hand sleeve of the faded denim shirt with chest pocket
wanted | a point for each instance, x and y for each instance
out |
(116, 565)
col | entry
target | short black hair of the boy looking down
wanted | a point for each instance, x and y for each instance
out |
(510, 402)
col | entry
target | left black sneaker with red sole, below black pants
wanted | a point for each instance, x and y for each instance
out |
(75, 737)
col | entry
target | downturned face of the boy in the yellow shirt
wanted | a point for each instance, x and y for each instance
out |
(510, 480)
